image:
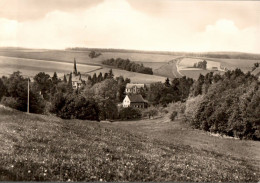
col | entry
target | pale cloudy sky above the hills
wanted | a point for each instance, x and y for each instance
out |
(161, 25)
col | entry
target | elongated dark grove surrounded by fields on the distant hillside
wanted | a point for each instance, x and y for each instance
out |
(126, 64)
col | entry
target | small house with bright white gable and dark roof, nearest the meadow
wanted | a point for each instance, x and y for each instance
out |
(134, 100)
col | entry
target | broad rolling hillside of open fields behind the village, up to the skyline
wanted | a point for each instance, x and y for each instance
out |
(164, 64)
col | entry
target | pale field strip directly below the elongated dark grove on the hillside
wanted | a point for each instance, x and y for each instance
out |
(134, 76)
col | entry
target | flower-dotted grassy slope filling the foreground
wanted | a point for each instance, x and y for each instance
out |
(36, 147)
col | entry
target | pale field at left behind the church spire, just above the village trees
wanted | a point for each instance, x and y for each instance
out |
(30, 67)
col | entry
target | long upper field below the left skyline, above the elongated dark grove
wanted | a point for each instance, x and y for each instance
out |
(82, 56)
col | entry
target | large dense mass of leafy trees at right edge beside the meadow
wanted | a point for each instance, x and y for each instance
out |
(230, 104)
